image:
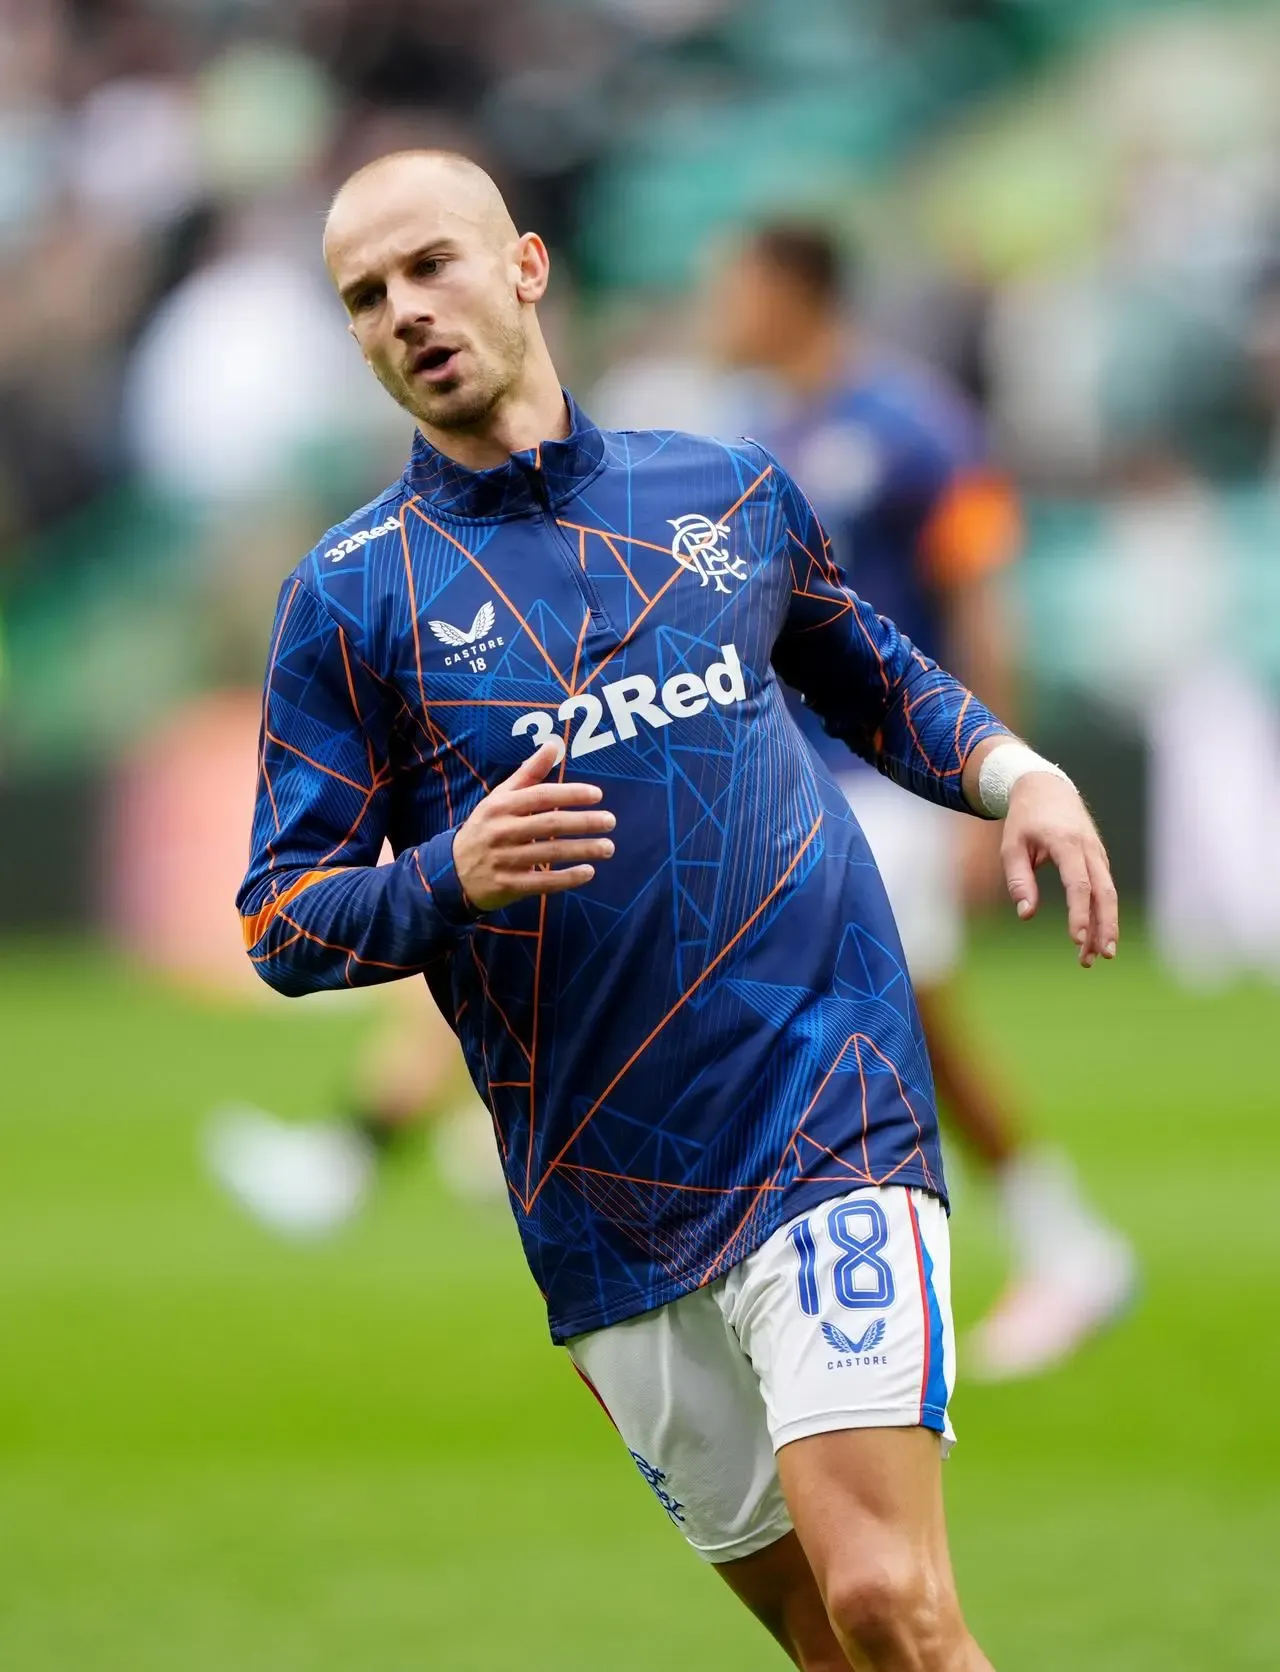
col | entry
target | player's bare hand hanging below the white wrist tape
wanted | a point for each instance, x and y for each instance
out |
(1049, 820)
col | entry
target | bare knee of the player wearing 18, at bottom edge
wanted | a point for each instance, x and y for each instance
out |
(893, 1611)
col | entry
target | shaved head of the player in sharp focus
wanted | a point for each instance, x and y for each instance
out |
(440, 288)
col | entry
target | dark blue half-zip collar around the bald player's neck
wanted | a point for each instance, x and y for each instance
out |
(559, 469)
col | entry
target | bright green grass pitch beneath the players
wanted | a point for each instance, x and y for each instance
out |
(223, 1454)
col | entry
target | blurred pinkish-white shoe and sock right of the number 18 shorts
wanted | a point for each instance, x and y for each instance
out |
(1075, 1277)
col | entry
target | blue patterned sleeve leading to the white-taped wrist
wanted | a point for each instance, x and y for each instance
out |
(863, 678)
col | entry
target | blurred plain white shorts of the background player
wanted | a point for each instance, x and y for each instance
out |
(917, 852)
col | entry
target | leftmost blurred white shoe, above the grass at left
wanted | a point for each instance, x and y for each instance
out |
(300, 1181)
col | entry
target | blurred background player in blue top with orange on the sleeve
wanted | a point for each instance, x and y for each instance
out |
(927, 528)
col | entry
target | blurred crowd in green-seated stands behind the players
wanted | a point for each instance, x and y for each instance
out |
(1072, 210)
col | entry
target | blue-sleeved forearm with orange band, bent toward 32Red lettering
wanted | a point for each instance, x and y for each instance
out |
(308, 930)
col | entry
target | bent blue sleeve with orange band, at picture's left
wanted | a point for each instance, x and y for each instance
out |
(317, 907)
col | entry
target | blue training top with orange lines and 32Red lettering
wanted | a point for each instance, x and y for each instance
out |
(718, 1032)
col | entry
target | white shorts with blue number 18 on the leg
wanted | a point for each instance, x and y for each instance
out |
(841, 1320)
